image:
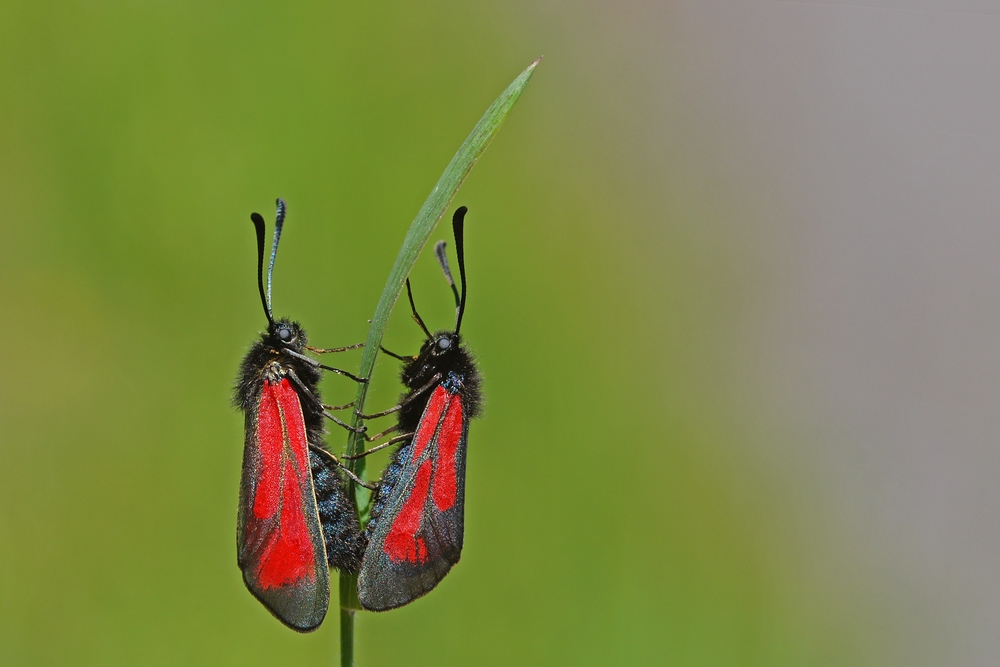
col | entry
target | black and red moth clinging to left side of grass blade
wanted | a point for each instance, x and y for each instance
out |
(295, 520)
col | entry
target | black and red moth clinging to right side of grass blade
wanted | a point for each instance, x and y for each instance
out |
(418, 512)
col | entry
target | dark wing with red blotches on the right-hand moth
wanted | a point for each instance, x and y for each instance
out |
(421, 531)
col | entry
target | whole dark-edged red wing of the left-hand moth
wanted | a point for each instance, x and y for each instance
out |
(279, 541)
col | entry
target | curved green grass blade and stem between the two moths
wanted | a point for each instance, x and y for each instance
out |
(416, 237)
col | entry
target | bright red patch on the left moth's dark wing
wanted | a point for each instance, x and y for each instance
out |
(287, 554)
